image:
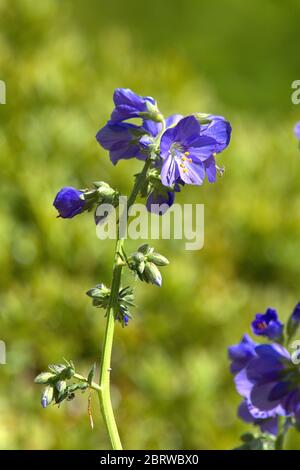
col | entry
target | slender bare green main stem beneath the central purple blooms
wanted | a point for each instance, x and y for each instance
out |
(105, 367)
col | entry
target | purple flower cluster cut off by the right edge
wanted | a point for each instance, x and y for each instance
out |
(265, 375)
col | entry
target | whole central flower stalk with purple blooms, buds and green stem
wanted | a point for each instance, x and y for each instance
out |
(176, 151)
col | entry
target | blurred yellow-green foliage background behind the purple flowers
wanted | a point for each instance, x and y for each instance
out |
(61, 62)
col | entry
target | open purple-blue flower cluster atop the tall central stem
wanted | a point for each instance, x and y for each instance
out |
(185, 147)
